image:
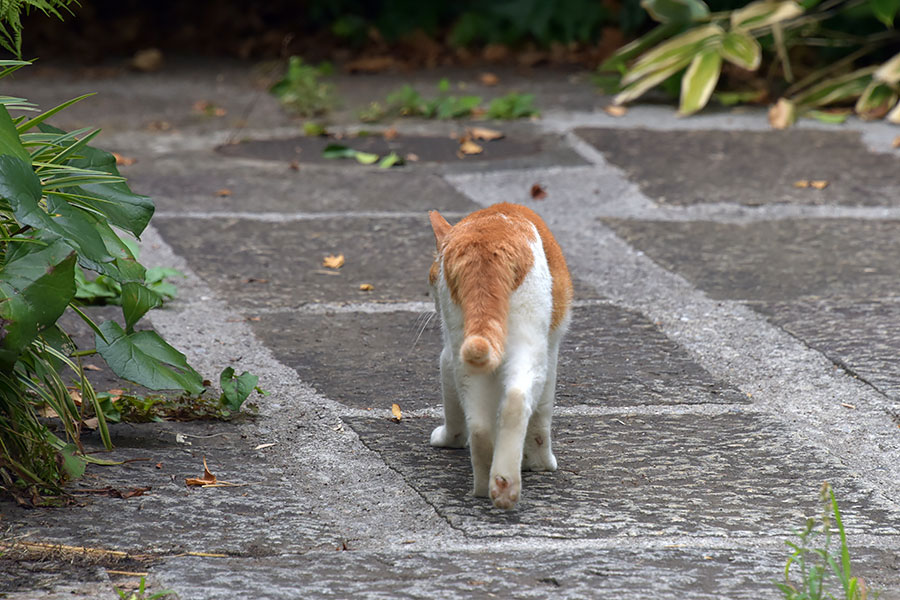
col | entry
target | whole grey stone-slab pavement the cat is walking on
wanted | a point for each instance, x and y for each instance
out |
(734, 345)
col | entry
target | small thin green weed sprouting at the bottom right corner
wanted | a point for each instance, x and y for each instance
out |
(816, 563)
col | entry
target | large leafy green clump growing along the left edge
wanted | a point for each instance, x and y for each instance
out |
(60, 200)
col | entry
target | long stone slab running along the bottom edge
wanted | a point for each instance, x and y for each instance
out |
(698, 574)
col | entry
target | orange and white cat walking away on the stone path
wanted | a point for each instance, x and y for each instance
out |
(503, 291)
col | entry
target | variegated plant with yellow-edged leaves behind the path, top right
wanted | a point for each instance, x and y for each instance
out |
(691, 43)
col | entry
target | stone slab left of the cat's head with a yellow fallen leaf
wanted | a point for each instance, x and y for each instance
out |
(263, 265)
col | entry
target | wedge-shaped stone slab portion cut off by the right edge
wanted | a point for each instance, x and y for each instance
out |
(860, 334)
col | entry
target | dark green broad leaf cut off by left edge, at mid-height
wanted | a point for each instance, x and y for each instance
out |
(35, 288)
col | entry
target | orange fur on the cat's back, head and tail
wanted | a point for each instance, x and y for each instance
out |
(486, 256)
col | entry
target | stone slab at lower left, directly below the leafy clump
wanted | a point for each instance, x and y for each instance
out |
(262, 517)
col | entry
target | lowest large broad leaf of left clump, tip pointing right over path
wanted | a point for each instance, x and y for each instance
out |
(144, 358)
